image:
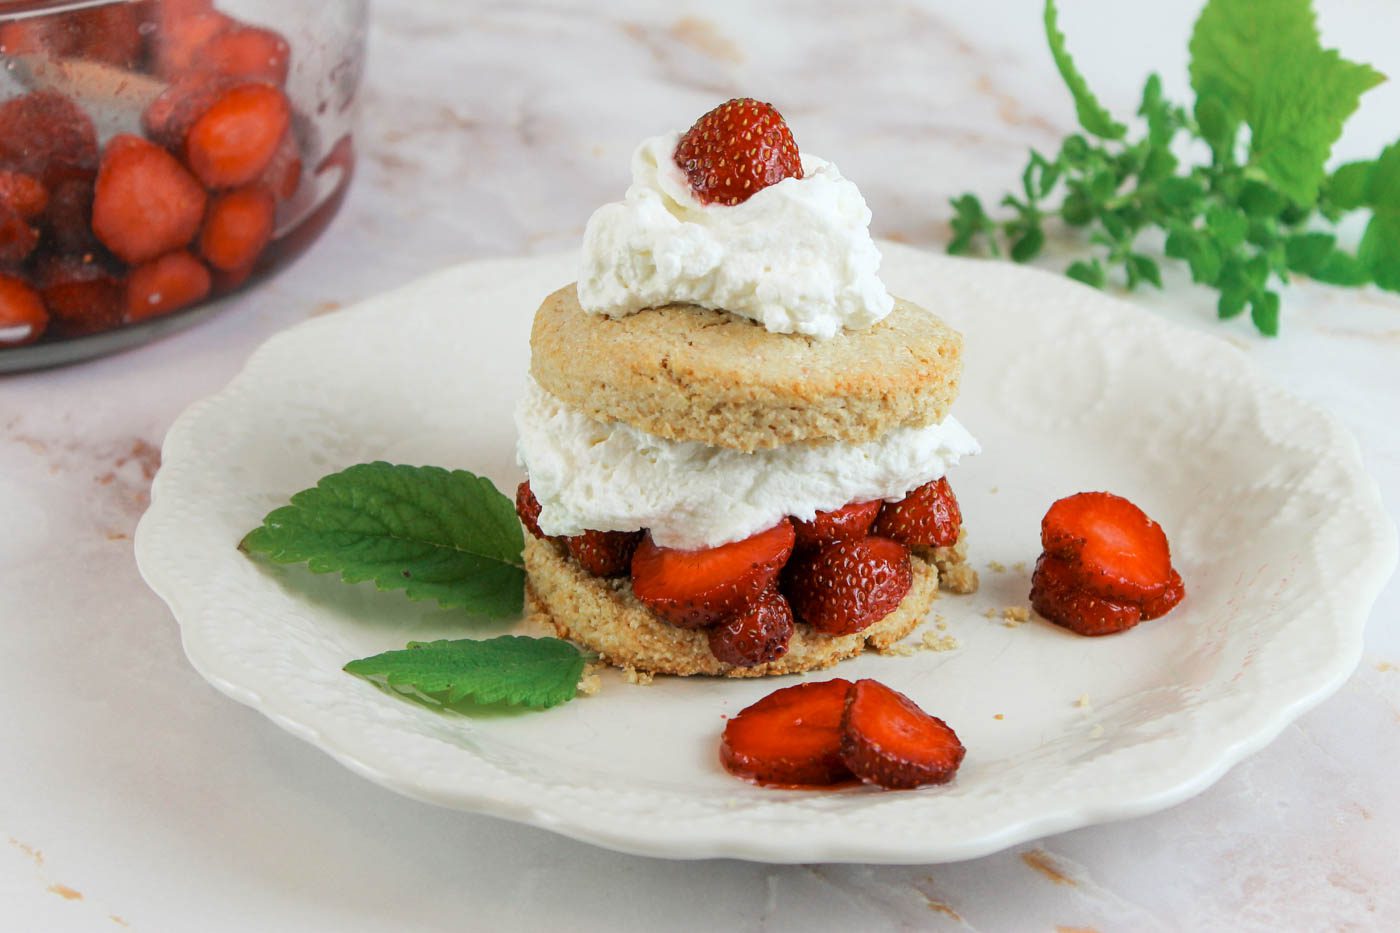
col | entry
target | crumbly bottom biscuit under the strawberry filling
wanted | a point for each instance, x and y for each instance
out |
(605, 617)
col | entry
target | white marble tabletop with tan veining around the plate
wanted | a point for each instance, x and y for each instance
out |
(134, 796)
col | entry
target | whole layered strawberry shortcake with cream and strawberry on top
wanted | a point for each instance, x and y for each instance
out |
(737, 441)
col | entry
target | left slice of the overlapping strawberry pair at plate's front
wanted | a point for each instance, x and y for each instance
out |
(790, 738)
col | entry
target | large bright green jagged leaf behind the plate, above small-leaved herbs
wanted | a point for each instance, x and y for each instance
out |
(1261, 62)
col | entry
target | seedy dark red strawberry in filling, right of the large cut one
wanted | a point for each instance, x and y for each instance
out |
(849, 586)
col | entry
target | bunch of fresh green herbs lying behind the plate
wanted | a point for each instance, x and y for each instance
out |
(1247, 218)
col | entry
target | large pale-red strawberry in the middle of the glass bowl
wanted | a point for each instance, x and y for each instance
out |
(145, 204)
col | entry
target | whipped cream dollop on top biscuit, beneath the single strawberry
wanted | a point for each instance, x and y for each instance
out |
(797, 257)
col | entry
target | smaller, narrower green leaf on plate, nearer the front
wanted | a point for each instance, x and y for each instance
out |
(512, 669)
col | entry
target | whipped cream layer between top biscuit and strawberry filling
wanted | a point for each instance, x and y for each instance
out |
(591, 476)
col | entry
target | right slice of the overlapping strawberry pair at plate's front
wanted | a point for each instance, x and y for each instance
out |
(888, 740)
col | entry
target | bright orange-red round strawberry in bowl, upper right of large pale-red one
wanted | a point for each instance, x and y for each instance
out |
(236, 139)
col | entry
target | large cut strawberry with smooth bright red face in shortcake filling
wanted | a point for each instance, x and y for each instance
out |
(695, 589)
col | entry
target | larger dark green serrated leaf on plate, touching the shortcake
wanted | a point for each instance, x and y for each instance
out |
(436, 534)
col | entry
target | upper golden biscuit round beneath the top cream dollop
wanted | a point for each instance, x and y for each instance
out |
(688, 373)
